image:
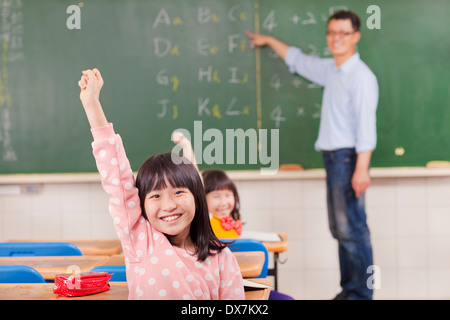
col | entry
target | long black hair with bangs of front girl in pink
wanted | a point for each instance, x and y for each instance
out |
(152, 175)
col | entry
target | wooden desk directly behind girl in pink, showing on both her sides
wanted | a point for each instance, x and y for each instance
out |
(250, 263)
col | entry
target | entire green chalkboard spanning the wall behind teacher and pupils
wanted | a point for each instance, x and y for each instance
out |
(172, 64)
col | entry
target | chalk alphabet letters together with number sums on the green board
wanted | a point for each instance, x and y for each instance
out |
(213, 74)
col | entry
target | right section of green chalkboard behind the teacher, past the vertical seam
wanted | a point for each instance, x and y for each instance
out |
(408, 54)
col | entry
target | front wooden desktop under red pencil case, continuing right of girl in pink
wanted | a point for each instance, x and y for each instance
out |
(118, 291)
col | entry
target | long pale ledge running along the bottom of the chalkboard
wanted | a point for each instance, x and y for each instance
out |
(400, 172)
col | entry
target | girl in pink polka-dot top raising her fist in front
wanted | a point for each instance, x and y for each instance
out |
(161, 219)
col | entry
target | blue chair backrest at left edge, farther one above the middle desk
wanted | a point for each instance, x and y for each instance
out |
(34, 249)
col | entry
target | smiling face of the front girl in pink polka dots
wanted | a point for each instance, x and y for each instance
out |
(171, 210)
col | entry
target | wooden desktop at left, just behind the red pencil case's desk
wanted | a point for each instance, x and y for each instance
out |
(49, 267)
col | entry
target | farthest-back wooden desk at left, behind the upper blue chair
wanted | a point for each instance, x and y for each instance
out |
(102, 247)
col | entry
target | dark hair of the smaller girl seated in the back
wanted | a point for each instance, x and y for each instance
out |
(218, 180)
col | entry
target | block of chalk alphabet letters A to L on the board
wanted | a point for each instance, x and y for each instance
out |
(210, 73)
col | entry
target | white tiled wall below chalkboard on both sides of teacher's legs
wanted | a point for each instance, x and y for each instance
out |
(409, 220)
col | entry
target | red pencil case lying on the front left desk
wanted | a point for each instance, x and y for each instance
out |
(73, 285)
